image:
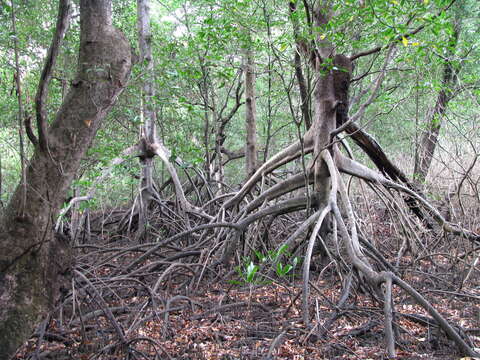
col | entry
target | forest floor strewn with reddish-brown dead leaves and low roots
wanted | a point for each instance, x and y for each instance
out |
(168, 308)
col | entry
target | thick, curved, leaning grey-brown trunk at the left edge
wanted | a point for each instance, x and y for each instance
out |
(32, 262)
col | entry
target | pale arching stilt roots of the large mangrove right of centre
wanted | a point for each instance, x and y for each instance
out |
(381, 282)
